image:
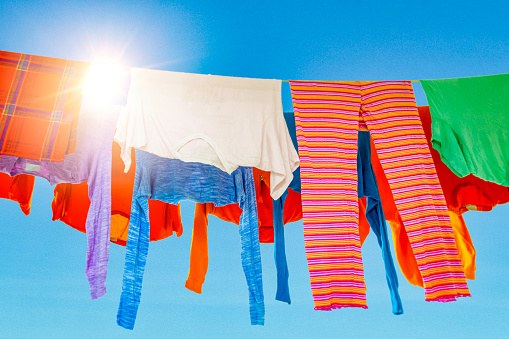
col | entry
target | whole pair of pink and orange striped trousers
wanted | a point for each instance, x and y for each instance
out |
(327, 118)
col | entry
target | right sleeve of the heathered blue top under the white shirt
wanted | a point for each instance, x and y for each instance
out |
(250, 248)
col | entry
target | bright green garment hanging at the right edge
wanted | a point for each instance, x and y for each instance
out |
(470, 120)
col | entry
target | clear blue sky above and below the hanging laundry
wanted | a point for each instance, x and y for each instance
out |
(43, 289)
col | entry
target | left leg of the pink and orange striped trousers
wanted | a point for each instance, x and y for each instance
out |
(327, 121)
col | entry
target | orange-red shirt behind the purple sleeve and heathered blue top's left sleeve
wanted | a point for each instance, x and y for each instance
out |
(71, 204)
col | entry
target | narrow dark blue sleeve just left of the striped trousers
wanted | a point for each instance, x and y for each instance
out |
(283, 290)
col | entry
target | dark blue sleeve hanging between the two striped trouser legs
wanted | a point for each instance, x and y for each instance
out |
(367, 187)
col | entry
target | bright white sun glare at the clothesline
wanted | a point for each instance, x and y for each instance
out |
(105, 80)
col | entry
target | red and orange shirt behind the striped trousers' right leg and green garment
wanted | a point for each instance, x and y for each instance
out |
(461, 194)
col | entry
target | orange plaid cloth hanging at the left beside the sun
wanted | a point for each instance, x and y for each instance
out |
(40, 100)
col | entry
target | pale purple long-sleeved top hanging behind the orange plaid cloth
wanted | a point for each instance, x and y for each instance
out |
(90, 162)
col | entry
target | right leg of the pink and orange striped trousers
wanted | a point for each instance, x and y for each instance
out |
(390, 113)
